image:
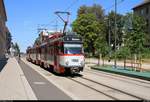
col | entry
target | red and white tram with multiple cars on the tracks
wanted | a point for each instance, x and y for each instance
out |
(62, 53)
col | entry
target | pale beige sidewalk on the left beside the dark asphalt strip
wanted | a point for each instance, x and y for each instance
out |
(13, 84)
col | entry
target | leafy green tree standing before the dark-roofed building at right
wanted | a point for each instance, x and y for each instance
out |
(136, 35)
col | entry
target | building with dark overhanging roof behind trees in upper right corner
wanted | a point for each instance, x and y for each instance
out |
(143, 10)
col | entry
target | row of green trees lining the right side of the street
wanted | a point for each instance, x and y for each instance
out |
(98, 32)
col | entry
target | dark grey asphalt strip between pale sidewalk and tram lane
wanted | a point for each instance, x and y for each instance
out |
(43, 89)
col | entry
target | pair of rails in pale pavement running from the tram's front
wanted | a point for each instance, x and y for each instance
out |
(110, 95)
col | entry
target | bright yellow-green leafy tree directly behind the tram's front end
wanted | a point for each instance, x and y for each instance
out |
(87, 26)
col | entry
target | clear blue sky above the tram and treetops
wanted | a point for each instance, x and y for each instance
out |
(26, 16)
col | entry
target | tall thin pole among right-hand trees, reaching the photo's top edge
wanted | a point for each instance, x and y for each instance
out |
(115, 63)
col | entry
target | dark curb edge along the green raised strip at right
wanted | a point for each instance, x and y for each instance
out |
(121, 73)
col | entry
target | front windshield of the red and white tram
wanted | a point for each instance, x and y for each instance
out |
(73, 49)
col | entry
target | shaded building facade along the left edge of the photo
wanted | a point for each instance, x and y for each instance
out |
(3, 36)
